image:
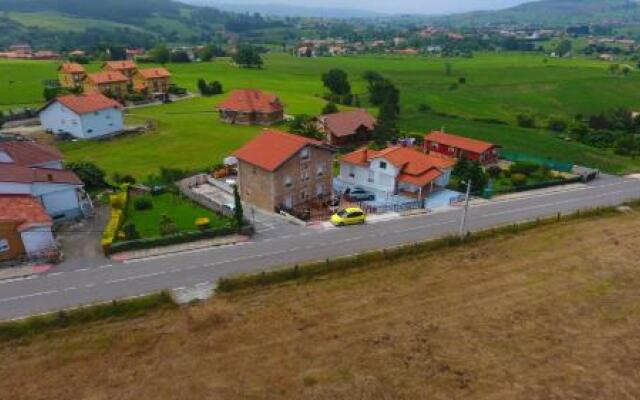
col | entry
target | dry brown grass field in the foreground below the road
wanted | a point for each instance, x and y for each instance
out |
(553, 313)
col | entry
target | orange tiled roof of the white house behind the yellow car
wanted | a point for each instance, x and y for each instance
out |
(415, 167)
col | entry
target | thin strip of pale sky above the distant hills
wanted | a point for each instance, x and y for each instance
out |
(396, 6)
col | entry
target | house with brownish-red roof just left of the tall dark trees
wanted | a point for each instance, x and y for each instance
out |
(348, 128)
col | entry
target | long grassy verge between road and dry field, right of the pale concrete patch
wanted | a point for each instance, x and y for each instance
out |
(310, 270)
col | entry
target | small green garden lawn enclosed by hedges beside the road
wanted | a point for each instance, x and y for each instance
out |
(182, 211)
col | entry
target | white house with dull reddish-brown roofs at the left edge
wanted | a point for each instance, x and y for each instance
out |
(36, 170)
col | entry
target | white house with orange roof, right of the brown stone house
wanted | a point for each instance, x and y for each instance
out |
(395, 171)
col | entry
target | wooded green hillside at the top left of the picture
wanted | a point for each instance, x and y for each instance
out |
(79, 23)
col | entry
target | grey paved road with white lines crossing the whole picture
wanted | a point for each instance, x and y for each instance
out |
(71, 287)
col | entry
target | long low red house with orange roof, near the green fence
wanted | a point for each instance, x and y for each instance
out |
(455, 146)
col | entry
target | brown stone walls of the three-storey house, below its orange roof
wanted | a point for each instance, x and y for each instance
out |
(305, 176)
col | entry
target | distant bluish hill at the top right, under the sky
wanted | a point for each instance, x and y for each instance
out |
(551, 13)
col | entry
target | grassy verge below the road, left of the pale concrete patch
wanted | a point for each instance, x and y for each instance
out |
(128, 308)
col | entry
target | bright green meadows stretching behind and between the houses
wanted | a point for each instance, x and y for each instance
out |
(499, 86)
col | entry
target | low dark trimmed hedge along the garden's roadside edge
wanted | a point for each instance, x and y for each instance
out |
(177, 238)
